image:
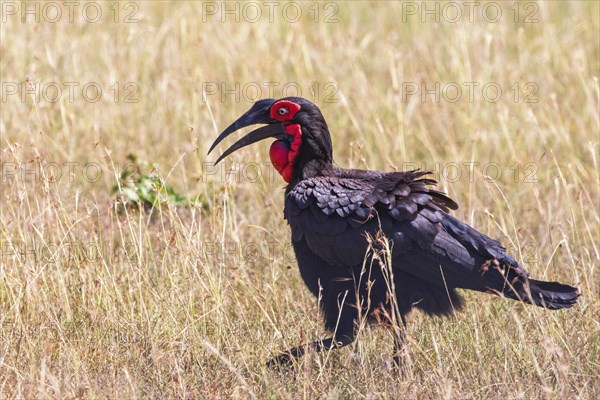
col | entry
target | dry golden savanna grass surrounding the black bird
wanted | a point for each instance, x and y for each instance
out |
(188, 297)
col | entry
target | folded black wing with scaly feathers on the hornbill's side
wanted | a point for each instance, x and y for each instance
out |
(333, 214)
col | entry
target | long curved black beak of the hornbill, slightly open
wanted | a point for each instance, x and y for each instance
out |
(258, 114)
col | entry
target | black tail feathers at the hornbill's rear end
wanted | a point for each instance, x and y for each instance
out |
(551, 295)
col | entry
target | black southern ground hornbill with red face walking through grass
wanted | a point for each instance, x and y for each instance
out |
(349, 225)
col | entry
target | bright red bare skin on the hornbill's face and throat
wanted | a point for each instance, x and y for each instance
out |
(282, 158)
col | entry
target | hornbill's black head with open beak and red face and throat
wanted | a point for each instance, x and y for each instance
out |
(302, 146)
